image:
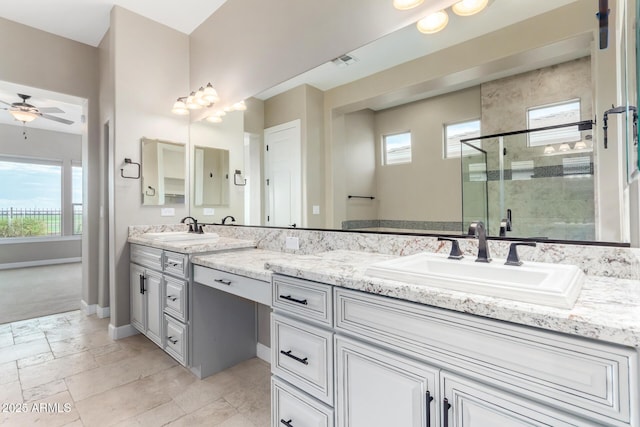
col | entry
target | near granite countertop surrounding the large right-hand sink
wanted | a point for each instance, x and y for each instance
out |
(608, 309)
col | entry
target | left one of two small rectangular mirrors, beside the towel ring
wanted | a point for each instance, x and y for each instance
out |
(163, 172)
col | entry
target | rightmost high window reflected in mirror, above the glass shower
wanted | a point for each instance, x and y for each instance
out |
(550, 115)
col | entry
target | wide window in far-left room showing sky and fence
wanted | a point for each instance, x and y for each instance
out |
(30, 198)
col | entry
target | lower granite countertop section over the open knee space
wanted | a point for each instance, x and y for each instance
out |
(248, 262)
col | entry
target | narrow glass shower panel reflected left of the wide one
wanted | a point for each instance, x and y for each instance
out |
(475, 205)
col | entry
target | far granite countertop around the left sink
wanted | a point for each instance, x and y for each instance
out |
(215, 244)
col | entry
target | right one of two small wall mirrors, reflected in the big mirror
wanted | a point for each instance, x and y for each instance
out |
(211, 179)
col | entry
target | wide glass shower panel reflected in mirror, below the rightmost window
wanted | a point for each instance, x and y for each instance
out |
(544, 178)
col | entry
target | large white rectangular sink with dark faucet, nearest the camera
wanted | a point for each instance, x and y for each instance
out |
(554, 285)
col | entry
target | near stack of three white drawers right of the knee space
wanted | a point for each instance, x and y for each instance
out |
(302, 353)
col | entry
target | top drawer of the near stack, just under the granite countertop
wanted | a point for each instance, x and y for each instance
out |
(311, 301)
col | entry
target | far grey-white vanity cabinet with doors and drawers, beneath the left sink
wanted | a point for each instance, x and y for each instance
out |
(159, 308)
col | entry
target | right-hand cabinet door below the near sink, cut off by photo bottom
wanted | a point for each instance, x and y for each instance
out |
(467, 403)
